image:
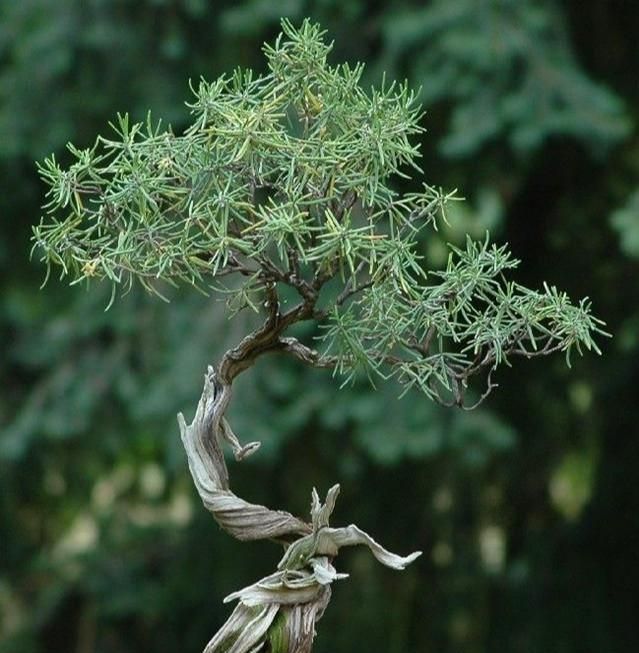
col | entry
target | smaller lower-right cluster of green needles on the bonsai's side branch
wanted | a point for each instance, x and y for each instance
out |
(437, 336)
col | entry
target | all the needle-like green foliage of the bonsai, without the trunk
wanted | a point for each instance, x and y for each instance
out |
(286, 179)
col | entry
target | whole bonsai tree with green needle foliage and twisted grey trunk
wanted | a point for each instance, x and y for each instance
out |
(282, 194)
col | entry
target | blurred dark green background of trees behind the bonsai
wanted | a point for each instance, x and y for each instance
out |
(526, 509)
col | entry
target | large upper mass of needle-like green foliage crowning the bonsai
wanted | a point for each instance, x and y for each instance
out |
(152, 205)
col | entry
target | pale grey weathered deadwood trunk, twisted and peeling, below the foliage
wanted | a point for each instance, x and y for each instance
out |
(278, 613)
